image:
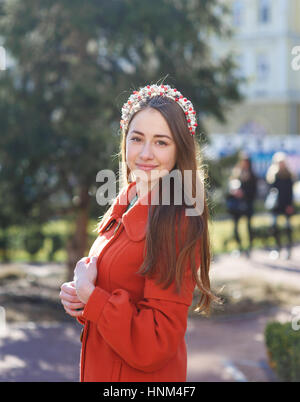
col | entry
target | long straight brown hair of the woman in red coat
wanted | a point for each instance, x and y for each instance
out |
(165, 221)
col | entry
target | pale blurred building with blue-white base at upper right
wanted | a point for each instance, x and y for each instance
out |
(266, 47)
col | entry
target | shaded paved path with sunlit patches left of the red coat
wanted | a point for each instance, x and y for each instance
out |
(48, 352)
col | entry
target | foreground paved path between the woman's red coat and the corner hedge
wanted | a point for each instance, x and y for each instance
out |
(229, 350)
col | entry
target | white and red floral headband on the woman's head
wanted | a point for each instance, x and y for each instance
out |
(137, 97)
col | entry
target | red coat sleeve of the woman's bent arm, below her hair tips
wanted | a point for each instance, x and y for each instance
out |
(145, 334)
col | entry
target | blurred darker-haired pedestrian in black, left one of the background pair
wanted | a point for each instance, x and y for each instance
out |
(241, 197)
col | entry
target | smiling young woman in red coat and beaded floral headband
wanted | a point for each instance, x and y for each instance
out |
(137, 284)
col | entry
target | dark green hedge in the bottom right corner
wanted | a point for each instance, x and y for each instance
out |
(283, 347)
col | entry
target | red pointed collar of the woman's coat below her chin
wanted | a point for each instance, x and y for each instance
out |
(135, 219)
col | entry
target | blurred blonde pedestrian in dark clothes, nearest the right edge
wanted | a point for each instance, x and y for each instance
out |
(280, 199)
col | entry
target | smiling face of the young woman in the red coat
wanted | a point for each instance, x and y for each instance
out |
(150, 146)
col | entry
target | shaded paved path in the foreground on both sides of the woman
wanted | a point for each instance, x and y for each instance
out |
(230, 350)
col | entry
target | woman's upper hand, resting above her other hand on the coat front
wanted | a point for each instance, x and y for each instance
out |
(85, 275)
